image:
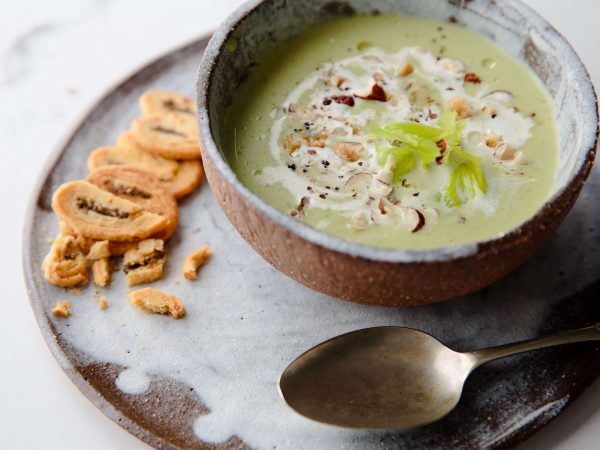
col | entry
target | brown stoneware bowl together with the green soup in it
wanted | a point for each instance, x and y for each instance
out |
(394, 153)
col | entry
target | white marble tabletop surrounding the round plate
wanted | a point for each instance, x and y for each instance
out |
(56, 59)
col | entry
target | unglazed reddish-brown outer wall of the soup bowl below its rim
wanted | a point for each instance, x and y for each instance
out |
(385, 283)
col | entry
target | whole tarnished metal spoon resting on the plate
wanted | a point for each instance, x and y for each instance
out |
(391, 377)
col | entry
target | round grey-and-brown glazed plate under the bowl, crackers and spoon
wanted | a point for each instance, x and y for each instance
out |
(209, 380)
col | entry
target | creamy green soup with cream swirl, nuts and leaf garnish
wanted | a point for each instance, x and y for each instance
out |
(395, 132)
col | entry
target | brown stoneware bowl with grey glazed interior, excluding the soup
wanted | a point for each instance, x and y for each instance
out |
(378, 276)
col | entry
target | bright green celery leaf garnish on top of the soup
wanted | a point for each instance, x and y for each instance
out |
(413, 142)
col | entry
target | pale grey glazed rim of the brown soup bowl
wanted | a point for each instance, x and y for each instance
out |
(320, 238)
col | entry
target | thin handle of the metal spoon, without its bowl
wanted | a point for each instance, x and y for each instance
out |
(568, 337)
